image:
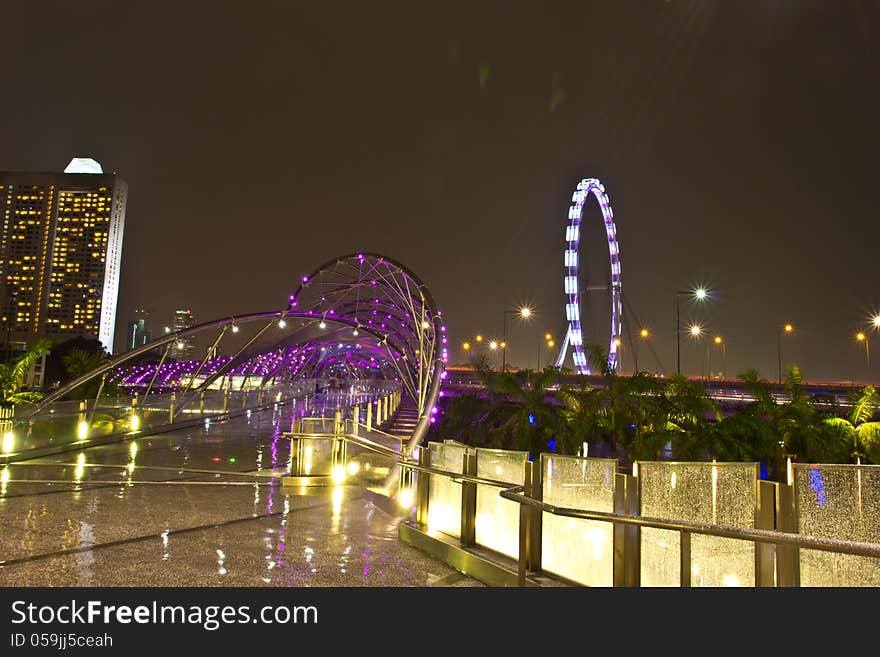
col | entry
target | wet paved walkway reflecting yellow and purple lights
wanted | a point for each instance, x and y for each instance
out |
(200, 507)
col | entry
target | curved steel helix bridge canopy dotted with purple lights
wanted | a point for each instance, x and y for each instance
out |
(359, 316)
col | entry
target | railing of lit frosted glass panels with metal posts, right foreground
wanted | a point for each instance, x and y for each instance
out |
(671, 524)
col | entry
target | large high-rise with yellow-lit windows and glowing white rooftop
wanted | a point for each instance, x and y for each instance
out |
(61, 247)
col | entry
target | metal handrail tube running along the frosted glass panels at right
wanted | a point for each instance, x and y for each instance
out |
(517, 494)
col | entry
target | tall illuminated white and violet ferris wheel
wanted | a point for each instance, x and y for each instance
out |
(574, 337)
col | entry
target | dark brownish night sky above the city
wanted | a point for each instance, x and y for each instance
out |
(737, 140)
